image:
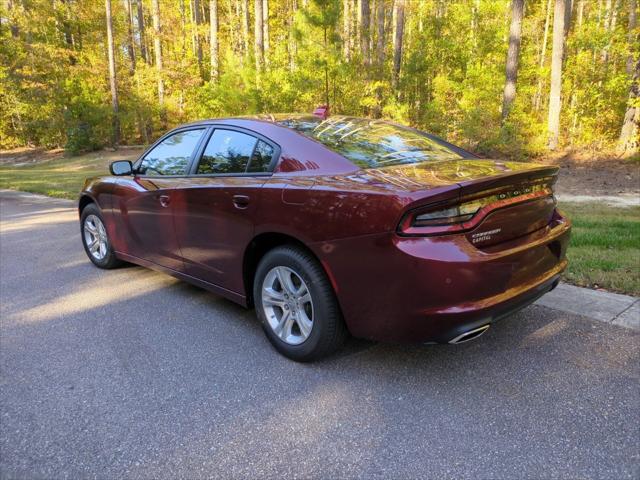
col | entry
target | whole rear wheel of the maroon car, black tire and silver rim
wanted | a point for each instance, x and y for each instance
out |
(296, 305)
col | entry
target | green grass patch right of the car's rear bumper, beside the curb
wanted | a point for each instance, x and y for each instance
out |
(605, 247)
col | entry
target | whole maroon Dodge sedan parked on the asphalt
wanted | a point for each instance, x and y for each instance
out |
(329, 226)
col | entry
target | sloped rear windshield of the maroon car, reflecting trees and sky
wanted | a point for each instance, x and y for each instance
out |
(371, 143)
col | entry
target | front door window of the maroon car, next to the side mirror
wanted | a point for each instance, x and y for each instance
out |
(172, 155)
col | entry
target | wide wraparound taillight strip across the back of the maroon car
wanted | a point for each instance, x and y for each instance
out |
(467, 211)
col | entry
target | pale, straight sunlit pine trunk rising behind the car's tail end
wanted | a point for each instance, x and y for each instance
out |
(556, 73)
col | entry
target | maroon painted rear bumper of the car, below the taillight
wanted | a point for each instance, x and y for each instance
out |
(432, 289)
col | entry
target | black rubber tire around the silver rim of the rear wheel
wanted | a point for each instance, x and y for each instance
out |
(328, 332)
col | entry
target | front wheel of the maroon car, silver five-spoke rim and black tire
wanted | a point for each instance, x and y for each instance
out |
(95, 238)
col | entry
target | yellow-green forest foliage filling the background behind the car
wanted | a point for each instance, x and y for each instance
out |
(54, 88)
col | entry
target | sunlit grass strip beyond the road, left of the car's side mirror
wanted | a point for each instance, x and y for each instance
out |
(62, 177)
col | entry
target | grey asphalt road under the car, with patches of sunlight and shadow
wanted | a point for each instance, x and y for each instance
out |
(130, 373)
